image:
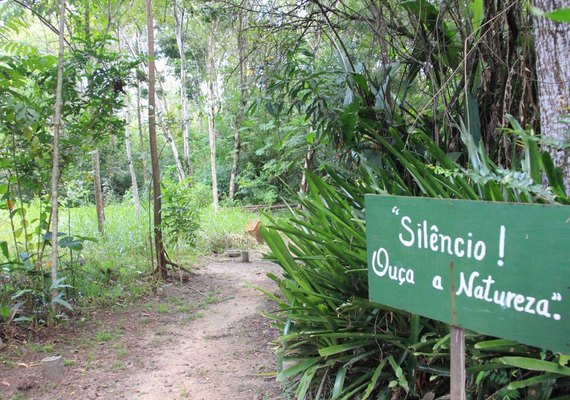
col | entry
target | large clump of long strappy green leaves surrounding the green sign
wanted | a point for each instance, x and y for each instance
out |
(336, 344)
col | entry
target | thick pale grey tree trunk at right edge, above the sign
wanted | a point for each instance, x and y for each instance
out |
(552, 44)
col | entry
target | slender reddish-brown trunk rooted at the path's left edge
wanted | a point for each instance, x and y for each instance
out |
(161, 259)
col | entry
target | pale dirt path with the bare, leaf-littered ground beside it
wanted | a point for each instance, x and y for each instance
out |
(203, 339)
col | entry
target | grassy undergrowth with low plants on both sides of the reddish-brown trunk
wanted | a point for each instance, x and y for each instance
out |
(96, 270)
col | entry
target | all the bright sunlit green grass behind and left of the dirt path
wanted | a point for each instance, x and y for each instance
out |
(112, 269)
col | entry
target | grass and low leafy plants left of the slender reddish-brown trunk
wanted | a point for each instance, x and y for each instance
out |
(94, 271)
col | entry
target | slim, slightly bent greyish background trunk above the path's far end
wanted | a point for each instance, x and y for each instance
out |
(241, 107)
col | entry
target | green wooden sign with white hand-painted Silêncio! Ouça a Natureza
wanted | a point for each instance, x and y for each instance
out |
(496, 268)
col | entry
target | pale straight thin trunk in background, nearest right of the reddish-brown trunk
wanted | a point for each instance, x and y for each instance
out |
(212, 114)
